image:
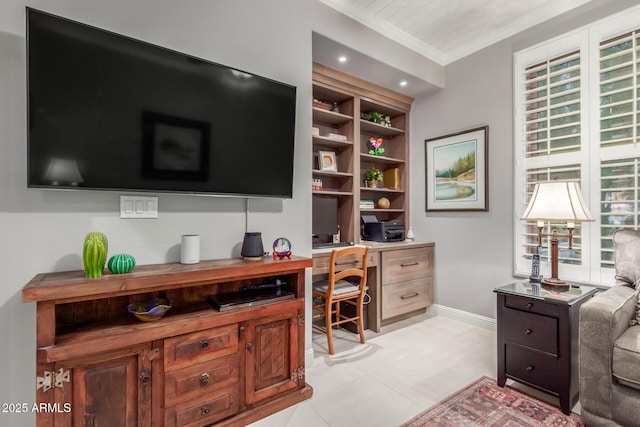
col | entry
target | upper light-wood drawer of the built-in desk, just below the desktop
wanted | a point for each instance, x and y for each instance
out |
(406, 264)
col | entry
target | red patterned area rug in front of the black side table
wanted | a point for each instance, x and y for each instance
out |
(483, 403)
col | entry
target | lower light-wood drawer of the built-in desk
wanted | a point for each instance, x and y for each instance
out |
(404, 297)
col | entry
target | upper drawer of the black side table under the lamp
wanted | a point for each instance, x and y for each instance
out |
(531, 330)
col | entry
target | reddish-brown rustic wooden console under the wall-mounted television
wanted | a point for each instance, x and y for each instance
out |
(196, 366)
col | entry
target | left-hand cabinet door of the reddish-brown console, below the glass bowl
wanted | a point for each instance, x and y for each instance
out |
(113, 390)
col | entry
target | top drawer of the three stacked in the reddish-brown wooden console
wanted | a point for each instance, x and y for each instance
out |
(198, 347)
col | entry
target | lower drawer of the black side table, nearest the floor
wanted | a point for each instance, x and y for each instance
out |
(531, 367)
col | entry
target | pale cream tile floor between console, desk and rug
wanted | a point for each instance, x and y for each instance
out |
(400, 372)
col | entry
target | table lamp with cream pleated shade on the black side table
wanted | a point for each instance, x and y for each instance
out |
(556, 201)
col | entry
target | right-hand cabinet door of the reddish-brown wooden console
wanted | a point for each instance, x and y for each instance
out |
(271, 355)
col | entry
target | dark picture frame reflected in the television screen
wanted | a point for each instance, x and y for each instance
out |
(175, 147)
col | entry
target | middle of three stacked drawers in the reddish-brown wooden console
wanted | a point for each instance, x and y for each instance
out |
(199, 380)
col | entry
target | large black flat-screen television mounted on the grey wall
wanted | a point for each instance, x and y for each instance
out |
(107, 112)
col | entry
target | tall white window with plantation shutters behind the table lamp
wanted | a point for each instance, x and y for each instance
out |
(577, 118)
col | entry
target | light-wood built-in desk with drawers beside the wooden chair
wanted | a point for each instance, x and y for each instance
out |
(400, 277)
